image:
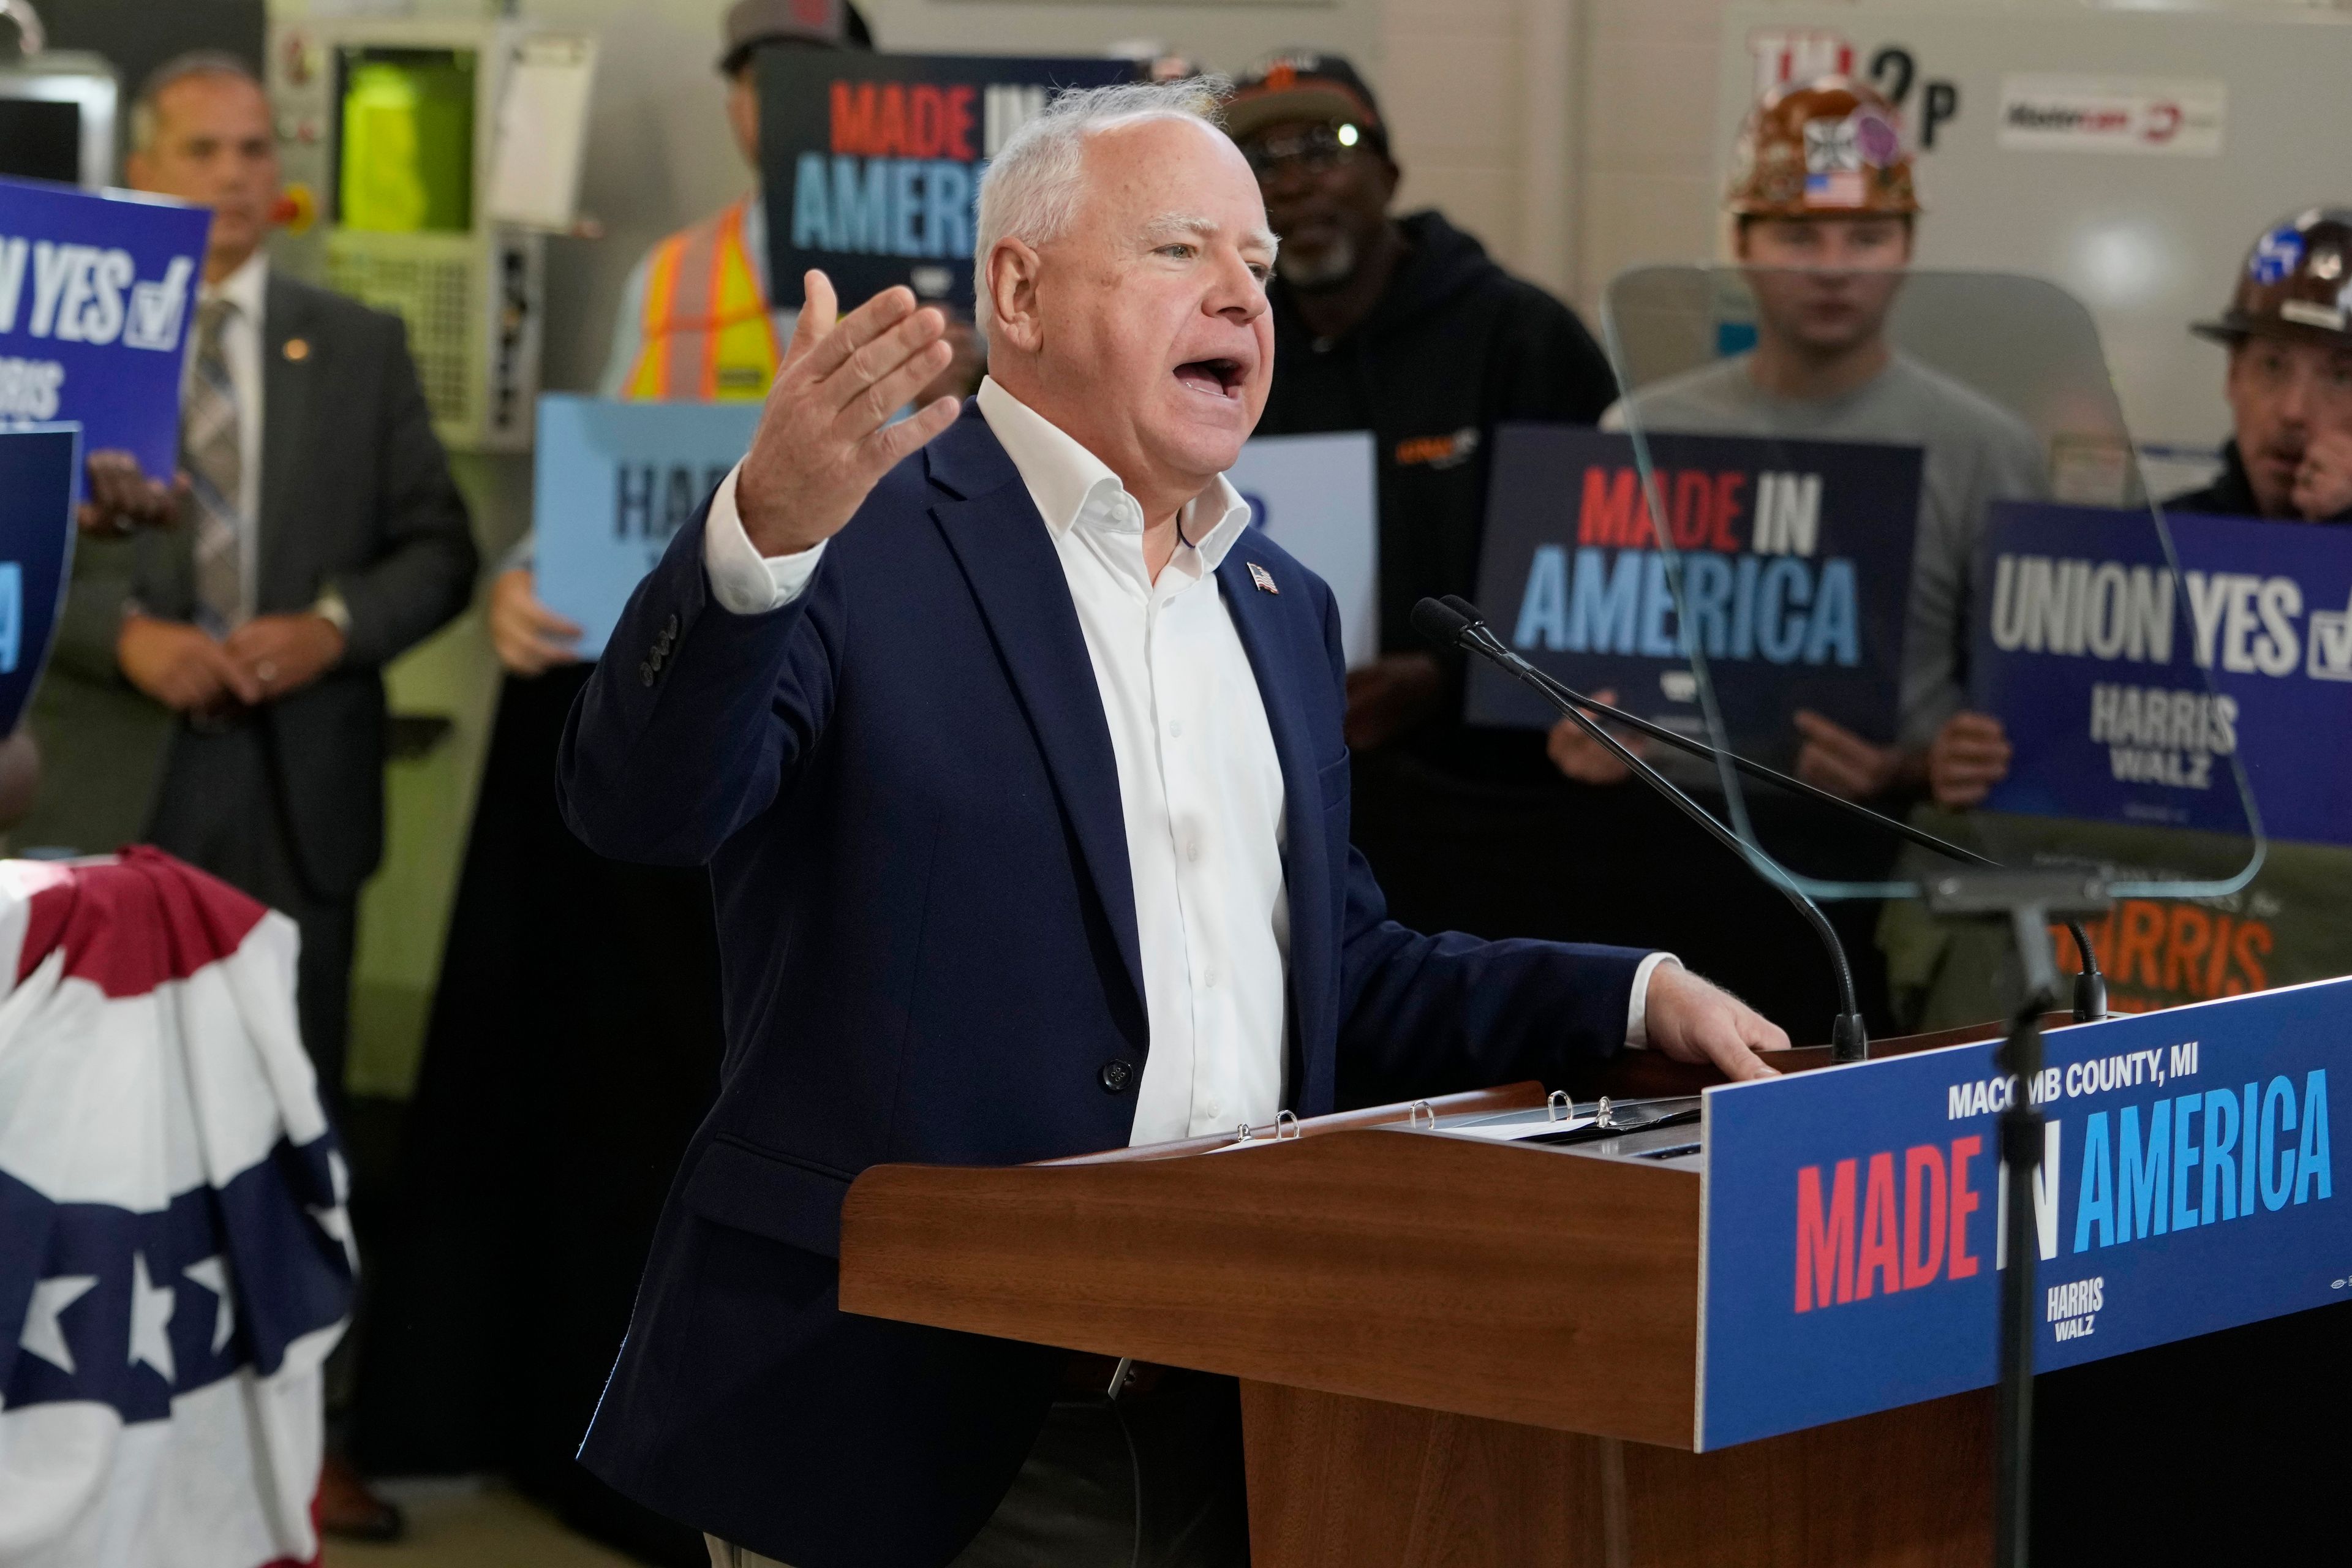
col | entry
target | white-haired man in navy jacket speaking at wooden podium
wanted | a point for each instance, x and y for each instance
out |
(1017, 763)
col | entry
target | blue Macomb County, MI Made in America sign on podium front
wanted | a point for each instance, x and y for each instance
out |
(1855, 1214)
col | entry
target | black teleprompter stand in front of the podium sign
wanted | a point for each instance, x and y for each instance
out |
(2029, 904)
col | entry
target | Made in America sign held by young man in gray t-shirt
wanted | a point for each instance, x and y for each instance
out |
(1796, 563)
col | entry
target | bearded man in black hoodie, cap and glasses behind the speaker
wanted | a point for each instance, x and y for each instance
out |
(1408, 328)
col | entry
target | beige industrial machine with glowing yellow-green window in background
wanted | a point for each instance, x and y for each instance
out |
(427, 163)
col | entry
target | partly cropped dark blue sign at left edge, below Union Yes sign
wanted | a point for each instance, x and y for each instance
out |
(41, 471)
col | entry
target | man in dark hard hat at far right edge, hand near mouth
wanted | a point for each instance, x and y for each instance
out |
(2290, 450)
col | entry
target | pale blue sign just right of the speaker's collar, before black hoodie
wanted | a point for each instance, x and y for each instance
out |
(1316, 497)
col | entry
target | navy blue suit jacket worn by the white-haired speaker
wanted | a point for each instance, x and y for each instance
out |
(909, 805)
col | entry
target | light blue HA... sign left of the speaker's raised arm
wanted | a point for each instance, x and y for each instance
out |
(613, 483)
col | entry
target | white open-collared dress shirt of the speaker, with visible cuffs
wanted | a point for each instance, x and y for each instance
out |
(1201, 784)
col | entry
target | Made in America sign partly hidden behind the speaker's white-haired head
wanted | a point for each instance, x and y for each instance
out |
(871, 163)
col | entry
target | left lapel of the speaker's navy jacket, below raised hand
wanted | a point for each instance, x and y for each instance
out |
(1003, 547)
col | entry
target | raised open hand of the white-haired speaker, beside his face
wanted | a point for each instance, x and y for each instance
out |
(824, 438)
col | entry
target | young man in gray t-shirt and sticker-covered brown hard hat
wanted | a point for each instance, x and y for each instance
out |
(1826, 210)
